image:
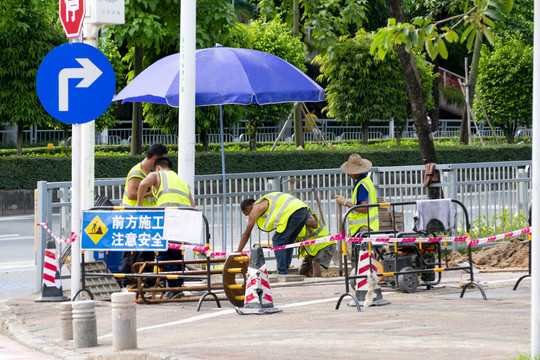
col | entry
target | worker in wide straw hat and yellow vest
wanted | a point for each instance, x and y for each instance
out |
(364, 218)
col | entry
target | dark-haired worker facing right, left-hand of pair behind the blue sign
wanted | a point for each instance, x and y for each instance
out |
(134, 178)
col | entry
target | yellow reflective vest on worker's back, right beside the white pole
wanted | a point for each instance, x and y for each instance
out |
(172, 191)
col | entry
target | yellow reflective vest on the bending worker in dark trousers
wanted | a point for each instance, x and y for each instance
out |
(280, 208)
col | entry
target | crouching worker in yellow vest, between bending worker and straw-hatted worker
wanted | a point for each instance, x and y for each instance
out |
(315, 255)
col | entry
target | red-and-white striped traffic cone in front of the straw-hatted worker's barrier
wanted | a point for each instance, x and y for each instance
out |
(363, 285)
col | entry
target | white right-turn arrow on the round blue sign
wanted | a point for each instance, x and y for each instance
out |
(89, 73)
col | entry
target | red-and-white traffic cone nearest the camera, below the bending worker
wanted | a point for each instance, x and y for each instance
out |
(258, 298)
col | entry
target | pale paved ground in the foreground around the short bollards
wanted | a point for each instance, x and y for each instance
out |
(430, 324)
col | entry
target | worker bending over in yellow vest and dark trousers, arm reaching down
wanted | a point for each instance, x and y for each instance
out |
(276, 211)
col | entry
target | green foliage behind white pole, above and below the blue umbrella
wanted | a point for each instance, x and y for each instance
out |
(215, 24)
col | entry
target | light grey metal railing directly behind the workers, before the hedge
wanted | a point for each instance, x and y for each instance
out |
(492, 192)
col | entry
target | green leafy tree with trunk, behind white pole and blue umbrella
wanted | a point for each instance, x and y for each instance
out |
(154, 25)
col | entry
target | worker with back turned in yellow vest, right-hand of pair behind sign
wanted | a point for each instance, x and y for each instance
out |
(170, 191)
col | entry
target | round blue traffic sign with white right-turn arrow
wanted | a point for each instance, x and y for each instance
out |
(75, 83)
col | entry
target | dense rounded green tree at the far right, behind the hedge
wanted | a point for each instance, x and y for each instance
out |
(505, 85)
